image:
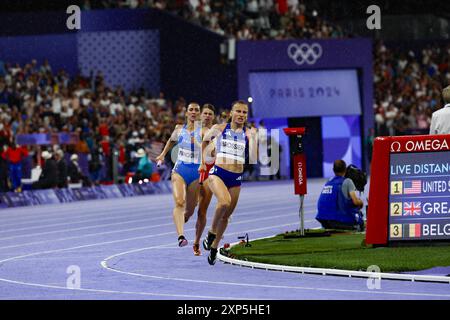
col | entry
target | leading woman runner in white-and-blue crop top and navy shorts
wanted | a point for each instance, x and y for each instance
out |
(234, 142)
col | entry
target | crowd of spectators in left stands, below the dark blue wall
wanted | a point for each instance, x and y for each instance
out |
(35, 99)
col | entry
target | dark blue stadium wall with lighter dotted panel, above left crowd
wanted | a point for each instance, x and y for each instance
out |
(135, 48)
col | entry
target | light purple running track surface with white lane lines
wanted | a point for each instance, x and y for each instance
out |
(127, 249)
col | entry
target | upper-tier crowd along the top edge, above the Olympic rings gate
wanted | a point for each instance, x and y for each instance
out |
(243, 19)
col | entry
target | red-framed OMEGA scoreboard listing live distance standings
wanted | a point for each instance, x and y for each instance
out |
(409, 197)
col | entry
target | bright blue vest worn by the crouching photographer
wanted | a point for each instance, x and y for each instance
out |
(333, 205)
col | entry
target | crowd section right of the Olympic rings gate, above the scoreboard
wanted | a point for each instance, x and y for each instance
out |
(408, 88)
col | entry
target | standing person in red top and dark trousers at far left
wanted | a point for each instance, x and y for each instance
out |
(15, 155)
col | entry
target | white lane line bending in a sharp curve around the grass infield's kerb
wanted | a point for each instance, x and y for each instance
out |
(104, 264)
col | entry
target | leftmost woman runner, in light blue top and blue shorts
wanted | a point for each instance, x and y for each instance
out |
(185, 172)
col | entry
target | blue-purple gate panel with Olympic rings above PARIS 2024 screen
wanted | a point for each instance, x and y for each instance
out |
(301, 78)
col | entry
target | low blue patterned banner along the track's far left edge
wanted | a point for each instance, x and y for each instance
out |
(56, 196)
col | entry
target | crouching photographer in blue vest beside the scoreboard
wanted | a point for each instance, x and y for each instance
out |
(339, 207)
